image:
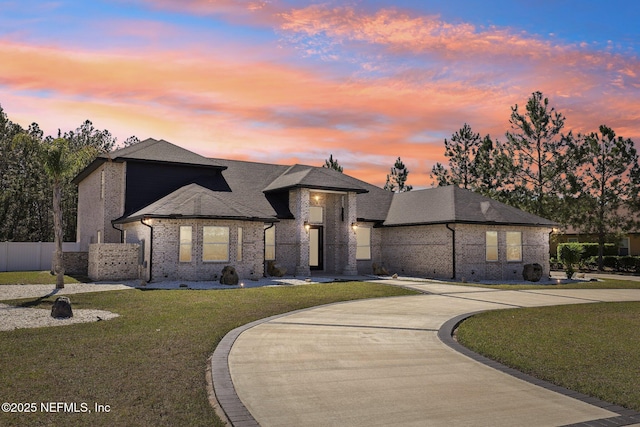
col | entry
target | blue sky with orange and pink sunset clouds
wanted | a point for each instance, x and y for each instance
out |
(293, 81)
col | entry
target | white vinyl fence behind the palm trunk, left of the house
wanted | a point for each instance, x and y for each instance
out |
(30, 256)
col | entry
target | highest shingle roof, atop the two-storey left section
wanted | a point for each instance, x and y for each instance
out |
(150, 150)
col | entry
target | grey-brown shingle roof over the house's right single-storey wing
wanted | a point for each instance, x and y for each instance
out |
(452, 204)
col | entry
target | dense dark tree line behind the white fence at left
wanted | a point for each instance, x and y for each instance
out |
(28, 176)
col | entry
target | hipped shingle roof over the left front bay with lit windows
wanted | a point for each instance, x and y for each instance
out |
(194, 201)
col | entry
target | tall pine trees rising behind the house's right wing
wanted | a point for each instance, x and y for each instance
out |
(587, 181)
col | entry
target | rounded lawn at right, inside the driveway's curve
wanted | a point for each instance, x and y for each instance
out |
(590, 348)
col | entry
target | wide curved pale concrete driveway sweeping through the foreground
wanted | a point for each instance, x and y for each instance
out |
(389, 362)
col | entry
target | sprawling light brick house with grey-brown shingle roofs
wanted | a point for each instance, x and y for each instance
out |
(156, 211)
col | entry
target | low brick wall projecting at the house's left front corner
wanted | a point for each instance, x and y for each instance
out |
(113, 261)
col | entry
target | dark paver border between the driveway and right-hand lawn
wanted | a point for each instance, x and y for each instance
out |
(626, 416)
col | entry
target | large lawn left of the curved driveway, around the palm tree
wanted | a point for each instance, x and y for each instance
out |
(149, 364)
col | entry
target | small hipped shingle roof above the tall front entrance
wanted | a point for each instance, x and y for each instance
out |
(318, 178)
